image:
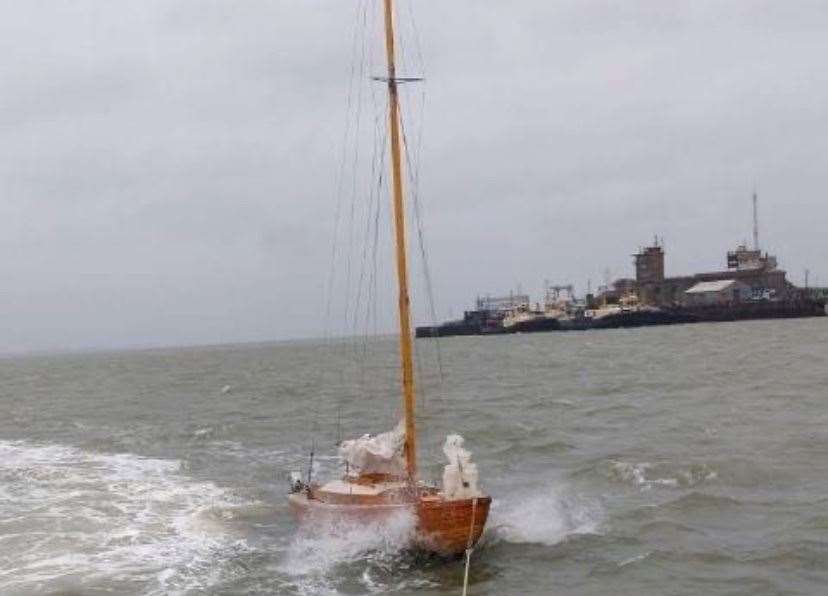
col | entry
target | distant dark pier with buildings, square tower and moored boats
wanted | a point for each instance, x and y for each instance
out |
(752, 287)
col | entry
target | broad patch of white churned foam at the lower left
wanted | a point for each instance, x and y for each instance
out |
(85, 517)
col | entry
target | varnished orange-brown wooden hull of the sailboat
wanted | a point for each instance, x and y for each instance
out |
(442, 527)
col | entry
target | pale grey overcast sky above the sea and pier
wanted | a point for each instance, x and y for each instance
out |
(167, 167)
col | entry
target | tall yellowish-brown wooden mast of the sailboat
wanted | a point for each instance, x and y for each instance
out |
(406, 347)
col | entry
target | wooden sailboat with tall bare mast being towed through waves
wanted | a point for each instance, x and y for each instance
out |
(381, 477)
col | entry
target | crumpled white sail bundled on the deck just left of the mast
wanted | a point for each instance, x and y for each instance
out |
(378, 454)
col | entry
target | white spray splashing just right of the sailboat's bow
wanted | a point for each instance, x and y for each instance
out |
(546, 516)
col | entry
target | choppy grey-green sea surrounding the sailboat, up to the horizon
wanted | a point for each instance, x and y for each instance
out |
(681, 460)
